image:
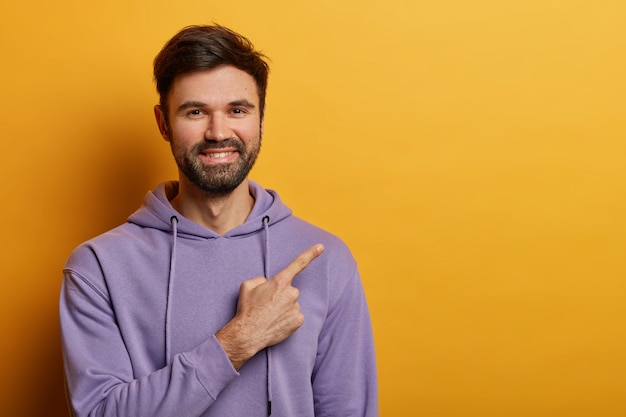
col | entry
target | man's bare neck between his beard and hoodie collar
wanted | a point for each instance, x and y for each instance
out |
(218, 213)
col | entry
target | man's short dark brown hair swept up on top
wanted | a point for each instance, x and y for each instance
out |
(197, 48)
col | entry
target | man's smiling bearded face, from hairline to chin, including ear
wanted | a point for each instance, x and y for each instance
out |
(214, 127)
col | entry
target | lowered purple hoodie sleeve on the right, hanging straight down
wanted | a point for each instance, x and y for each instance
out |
(345, 377)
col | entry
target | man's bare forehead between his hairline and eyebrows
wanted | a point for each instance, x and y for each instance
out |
(215, 86)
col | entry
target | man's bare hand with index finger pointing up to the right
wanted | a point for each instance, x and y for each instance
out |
(267, 311)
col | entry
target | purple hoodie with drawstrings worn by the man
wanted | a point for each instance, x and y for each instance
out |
(140, 306)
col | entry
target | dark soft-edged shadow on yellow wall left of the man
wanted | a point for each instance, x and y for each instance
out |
(109, 180)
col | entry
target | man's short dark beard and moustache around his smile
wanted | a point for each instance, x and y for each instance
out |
(217, 179)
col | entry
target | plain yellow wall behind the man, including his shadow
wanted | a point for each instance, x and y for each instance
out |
(471, 153)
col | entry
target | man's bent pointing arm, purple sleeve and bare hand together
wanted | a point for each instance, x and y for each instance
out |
(99, 371)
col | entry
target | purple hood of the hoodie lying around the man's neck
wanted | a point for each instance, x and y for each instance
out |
(157, 212)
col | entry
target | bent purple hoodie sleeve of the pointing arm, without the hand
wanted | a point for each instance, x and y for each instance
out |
(99, 373)
